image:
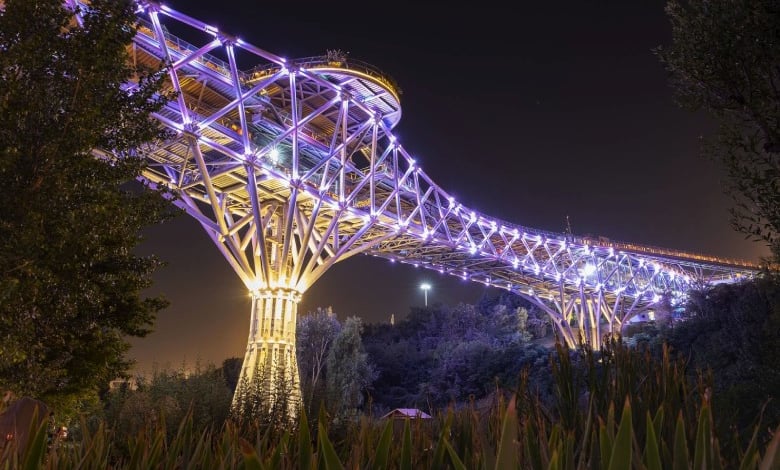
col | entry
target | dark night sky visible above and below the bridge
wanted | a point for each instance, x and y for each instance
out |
(530, 114)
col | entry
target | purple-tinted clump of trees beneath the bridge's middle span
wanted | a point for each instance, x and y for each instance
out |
(439, 355)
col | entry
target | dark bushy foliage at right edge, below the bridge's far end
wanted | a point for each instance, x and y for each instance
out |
(734, 330)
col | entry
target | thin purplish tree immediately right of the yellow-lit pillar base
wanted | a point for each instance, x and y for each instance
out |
(315, 333)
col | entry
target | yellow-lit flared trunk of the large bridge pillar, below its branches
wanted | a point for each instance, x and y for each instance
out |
(269, 385)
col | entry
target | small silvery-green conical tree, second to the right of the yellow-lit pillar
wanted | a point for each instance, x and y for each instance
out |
(349, 371)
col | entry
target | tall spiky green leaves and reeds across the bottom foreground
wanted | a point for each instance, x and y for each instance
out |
(639, 413)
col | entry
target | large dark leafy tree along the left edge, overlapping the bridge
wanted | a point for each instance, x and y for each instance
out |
(70, 283)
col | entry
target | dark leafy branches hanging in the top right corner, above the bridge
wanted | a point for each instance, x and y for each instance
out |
(725, 59)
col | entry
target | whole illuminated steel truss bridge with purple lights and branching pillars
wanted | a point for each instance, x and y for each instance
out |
(291, 166)
